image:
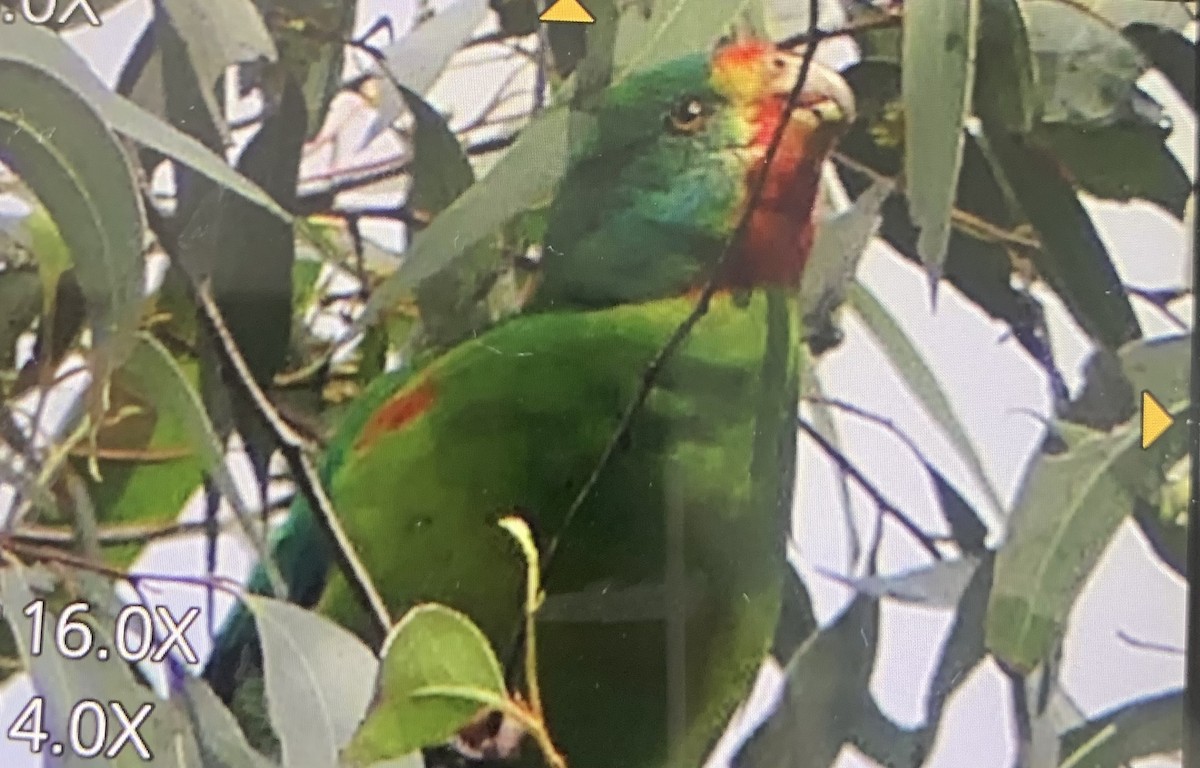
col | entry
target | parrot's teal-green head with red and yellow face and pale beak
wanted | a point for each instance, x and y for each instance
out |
(664, 177)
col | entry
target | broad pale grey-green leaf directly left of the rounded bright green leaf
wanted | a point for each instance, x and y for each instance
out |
(319, 681)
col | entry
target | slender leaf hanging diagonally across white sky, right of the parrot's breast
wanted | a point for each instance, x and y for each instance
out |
(915, 371)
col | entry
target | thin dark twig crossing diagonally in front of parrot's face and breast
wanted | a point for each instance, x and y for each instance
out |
(652, 373)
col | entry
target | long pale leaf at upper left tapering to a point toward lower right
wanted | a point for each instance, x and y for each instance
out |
(46, 52)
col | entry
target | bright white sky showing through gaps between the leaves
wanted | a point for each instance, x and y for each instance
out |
(991, 382)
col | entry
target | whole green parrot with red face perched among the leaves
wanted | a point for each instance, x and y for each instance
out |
(665, 589)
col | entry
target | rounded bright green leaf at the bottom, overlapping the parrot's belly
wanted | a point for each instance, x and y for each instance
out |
(439, 671)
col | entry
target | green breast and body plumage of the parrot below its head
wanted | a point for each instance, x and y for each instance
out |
(664, 595)
